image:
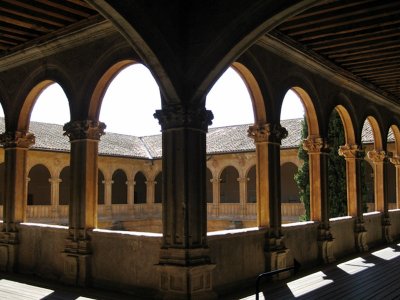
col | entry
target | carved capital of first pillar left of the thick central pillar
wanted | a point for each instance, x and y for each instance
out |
(86, 129)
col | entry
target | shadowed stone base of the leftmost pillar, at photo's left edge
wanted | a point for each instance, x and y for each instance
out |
(8, 250)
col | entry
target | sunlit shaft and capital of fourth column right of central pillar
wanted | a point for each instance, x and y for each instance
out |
(377, 158)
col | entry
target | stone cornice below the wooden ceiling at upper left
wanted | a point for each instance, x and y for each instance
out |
(72, 37)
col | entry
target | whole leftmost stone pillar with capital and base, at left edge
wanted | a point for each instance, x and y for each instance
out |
(16, 145)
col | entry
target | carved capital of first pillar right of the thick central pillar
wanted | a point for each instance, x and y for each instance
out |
(273, 133)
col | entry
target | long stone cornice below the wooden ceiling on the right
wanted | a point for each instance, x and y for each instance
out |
(284, 47)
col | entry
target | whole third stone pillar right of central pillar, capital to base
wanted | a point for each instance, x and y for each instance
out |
(354, 157)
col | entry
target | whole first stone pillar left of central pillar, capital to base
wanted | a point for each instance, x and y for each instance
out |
(84, 137)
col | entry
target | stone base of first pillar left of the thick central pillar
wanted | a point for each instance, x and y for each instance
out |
(77, 263)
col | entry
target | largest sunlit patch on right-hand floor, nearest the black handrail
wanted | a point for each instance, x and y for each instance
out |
(308, 284)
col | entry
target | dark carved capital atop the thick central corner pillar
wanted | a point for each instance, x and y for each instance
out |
(178, 116)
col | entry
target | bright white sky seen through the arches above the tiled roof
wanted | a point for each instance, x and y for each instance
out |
(133, 96)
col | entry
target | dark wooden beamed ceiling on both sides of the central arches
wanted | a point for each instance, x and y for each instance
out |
(357, 37)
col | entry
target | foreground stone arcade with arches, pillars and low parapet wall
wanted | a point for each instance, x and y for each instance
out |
(186, 56)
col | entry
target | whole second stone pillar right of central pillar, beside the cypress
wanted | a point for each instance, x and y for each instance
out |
(318, 165)
